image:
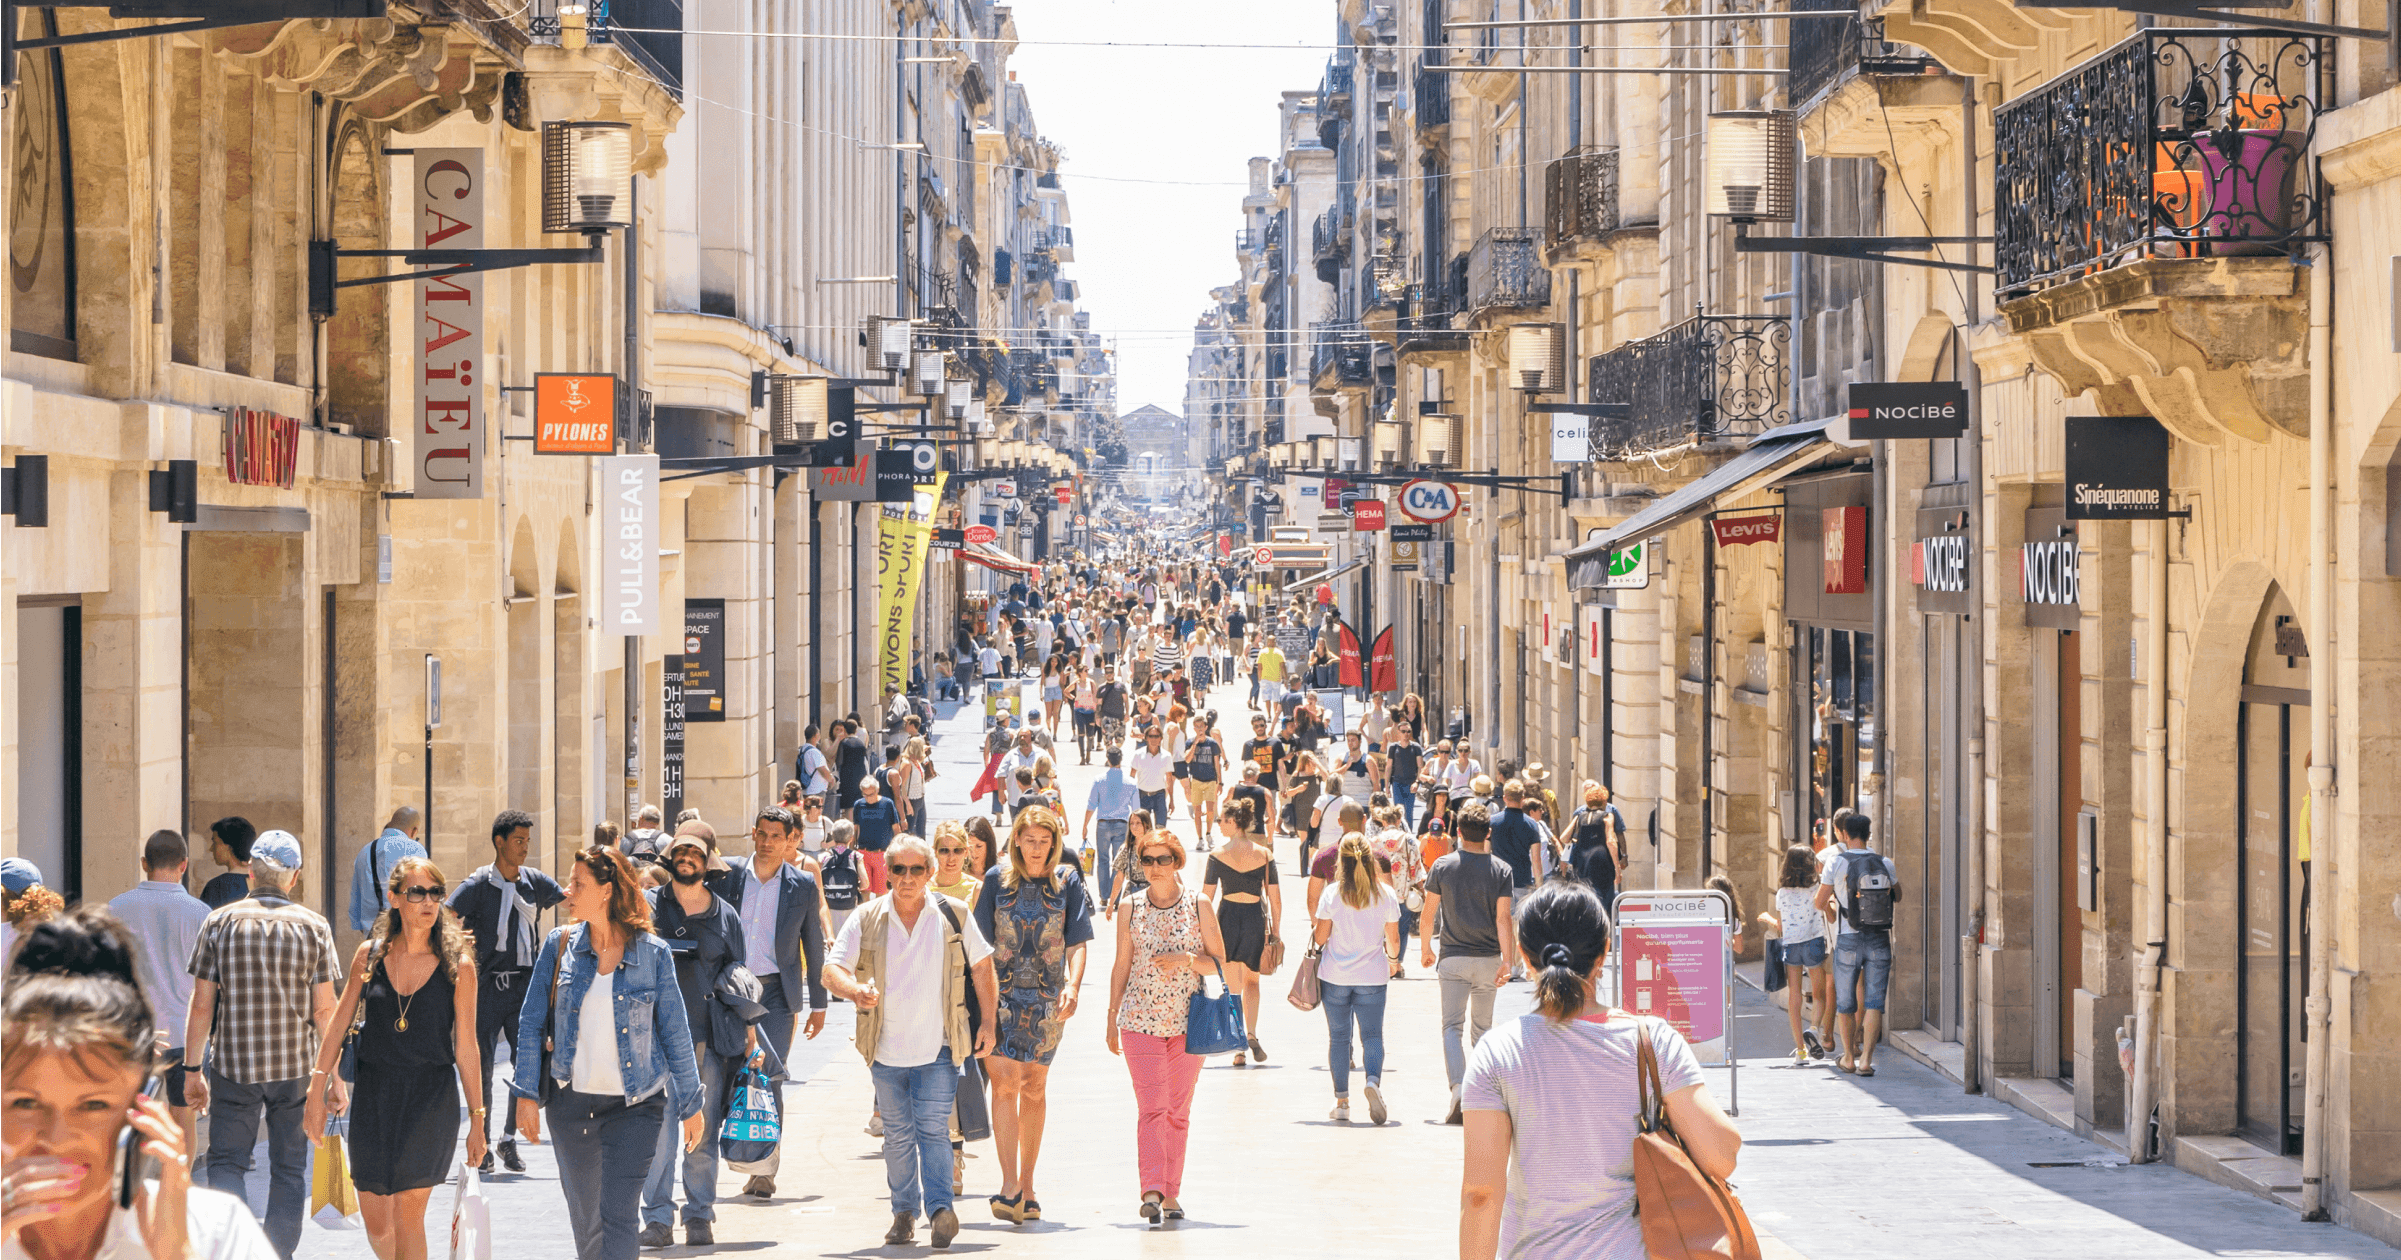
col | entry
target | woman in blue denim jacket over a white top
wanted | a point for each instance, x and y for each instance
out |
(609, 1108)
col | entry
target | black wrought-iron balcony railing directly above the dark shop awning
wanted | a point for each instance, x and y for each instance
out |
(1713, 378)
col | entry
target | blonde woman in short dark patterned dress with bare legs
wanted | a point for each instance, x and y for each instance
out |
(1038, 918)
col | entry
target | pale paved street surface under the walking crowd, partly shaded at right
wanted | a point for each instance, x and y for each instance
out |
(1898, 1168)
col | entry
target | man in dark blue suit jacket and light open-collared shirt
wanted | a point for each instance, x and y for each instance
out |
(784, 942)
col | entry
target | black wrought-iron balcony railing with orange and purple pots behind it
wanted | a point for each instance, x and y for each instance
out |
(2174, 145)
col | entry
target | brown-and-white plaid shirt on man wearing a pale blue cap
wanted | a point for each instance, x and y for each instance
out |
(265, 959)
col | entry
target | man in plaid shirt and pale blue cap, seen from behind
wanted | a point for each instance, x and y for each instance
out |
(263, 985)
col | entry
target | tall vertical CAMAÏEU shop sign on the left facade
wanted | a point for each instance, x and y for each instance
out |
(448, 193)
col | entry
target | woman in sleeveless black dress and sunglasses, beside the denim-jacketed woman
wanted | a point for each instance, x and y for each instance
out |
(412, 1009)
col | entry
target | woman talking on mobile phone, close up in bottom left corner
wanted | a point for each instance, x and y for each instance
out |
(78, 1048)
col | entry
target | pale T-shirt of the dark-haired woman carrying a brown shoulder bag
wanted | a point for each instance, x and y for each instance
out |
(1571, 1098)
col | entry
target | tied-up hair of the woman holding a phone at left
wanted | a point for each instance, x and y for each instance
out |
(73, 990)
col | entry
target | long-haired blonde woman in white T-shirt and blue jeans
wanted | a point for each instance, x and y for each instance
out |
(1358, 944)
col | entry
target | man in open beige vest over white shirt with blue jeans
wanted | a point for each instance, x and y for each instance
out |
(906, 961)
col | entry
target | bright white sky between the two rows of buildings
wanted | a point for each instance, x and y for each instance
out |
(1173, 131)
